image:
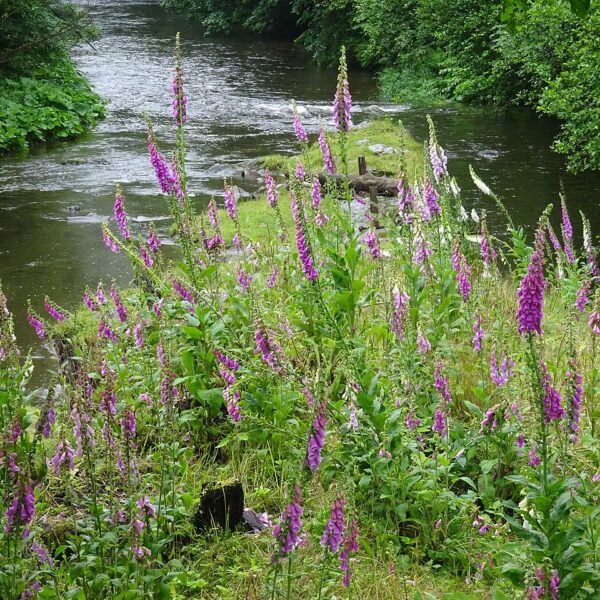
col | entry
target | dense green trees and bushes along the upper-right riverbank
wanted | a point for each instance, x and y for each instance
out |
(538, 54)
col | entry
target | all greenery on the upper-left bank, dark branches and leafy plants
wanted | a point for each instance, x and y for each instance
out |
(42, 96)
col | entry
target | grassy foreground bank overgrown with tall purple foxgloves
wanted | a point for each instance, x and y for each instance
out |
(415, 420)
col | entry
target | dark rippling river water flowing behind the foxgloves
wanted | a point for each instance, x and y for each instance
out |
(239, 96)
